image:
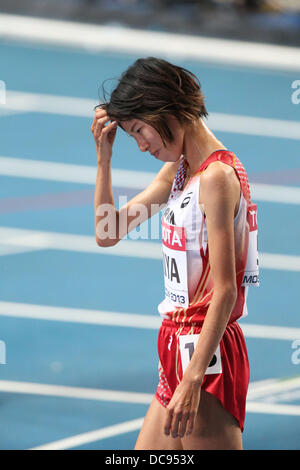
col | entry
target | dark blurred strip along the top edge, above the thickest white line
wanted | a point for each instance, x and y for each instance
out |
(254, 20)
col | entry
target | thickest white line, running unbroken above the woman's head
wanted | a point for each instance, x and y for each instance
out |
(128, 40)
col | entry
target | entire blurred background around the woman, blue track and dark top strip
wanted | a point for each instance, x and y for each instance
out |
(78, 324)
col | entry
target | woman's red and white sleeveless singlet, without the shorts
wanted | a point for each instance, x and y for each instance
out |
(188, 280)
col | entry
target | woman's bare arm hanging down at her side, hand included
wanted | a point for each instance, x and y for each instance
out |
(220, 193)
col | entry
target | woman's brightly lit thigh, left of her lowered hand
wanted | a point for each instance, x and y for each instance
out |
(152, 436)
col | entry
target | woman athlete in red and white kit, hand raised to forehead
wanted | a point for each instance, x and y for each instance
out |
(209, 236)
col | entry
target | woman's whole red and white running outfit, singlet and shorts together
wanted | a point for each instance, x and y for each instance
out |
(189, 289)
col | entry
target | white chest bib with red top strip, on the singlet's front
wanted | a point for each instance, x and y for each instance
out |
(175, 264)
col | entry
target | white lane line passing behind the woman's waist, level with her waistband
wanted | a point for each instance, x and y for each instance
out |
(129, 320)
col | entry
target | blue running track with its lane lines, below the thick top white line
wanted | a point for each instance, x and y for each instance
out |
(78, 323)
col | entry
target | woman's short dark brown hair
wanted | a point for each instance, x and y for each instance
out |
(150, 90)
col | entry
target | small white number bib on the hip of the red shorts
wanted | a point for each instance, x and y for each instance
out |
(187, 345)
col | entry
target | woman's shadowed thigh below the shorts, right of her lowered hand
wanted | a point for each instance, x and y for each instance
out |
(215, 428)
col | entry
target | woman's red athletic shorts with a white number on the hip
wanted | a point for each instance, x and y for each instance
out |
(227, 376)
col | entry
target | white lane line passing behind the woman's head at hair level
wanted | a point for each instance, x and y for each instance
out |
(19, 101)
